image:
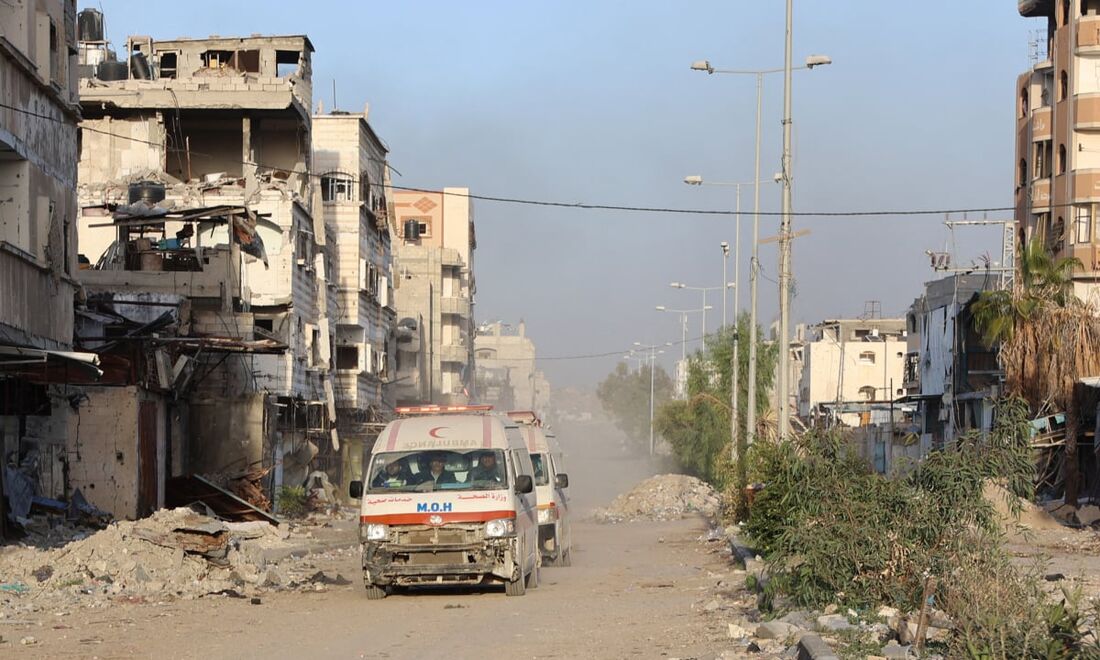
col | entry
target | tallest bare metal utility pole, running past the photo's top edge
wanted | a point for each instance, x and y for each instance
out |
(785, 244)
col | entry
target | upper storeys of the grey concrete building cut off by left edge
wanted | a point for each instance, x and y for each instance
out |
(38, 172)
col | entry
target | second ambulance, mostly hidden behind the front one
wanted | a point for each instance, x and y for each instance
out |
(552, 485)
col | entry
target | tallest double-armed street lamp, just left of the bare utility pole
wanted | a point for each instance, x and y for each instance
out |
(703, 65)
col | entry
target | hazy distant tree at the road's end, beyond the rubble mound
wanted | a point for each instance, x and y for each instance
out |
(625, 397)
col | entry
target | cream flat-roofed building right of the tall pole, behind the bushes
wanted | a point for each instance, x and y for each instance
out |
(852, 361)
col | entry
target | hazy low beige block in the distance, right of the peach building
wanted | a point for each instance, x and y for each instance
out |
(508, 378)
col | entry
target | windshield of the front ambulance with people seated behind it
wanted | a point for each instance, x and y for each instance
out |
(435, 470)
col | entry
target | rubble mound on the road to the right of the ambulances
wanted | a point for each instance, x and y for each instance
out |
(663, 498)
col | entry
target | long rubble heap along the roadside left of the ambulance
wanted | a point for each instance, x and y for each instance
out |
(175, 554)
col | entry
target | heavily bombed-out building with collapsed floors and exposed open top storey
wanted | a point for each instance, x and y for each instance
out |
(219, 124)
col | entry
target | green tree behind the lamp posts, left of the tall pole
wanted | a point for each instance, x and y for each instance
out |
(698, 428)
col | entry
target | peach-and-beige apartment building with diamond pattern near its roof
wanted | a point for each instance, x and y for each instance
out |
(434, 273)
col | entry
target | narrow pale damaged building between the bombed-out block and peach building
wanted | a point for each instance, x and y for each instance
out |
(351, 162)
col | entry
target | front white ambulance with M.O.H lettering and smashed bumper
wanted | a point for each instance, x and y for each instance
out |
(449, 499)
